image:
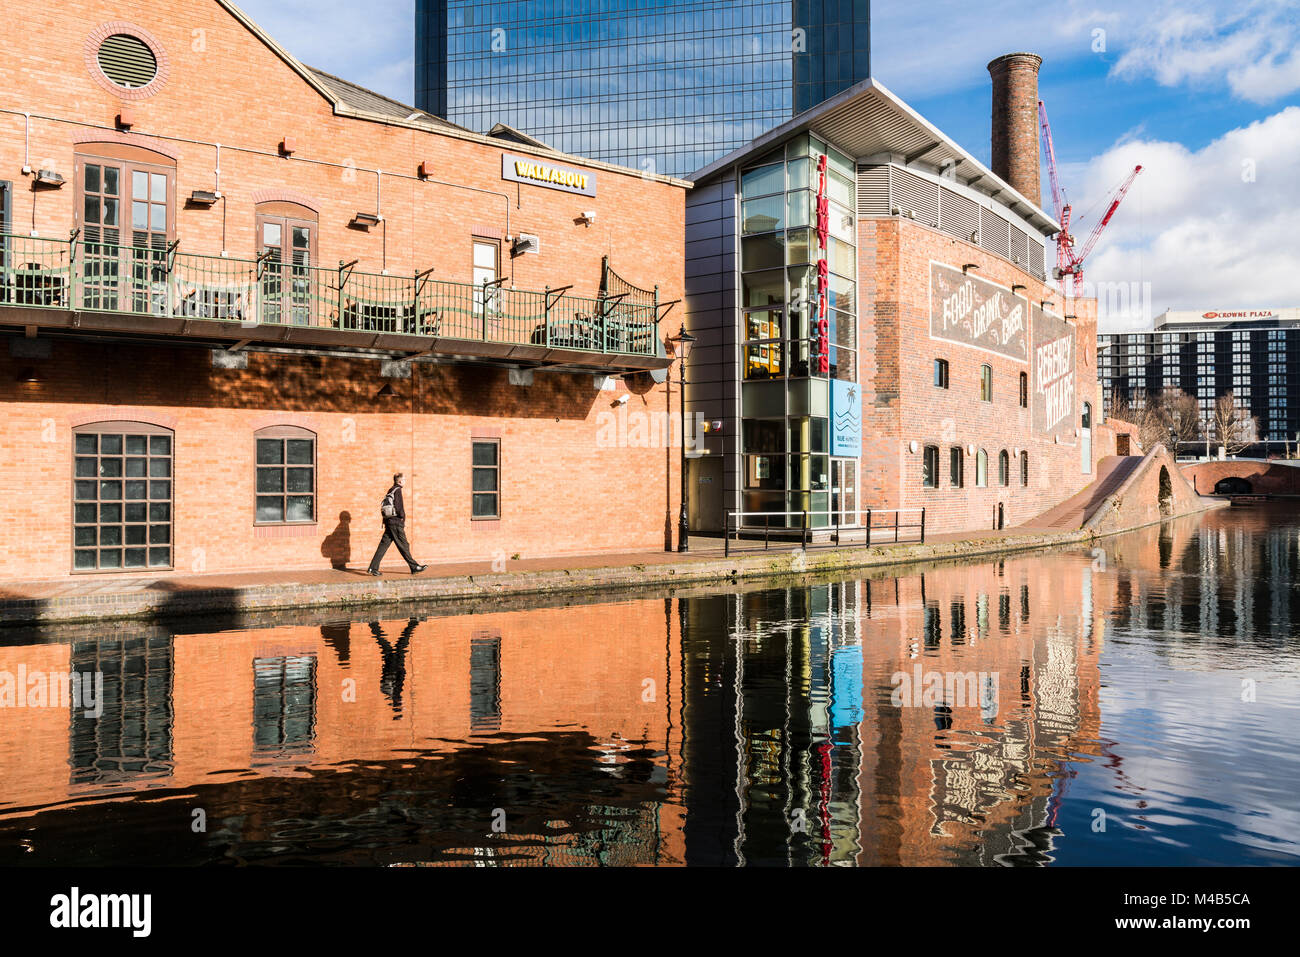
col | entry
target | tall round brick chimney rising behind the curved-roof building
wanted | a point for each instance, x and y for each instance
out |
(1016, 123)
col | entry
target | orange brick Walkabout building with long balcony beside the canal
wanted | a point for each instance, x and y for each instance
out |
(239, 295)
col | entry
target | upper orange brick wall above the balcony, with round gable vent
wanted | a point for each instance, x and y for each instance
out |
(236, 92)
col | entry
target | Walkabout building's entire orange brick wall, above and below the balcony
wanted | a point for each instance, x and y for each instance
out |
(562, 492)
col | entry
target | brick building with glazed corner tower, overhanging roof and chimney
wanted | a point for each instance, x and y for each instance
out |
(876, 324)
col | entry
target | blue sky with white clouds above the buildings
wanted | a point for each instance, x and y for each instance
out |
(1203, 94)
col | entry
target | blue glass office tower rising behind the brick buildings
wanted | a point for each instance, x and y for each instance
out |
(657, 85)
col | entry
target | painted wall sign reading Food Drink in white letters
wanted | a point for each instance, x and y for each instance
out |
(974, 313)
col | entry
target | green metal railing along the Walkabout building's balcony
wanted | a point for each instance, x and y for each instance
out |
(109, 278)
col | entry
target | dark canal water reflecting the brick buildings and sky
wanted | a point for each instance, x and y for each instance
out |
(1134, 704)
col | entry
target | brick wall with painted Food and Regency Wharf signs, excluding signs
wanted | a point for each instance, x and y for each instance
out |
(902, 405)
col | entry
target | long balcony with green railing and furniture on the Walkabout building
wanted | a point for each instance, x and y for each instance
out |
(76, 288)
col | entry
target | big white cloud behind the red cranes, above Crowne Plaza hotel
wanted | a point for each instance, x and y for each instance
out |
(1207, 228)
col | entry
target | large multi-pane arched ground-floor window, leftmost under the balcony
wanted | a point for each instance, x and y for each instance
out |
(122, 497)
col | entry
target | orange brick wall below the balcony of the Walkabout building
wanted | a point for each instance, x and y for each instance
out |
(562, 492)
